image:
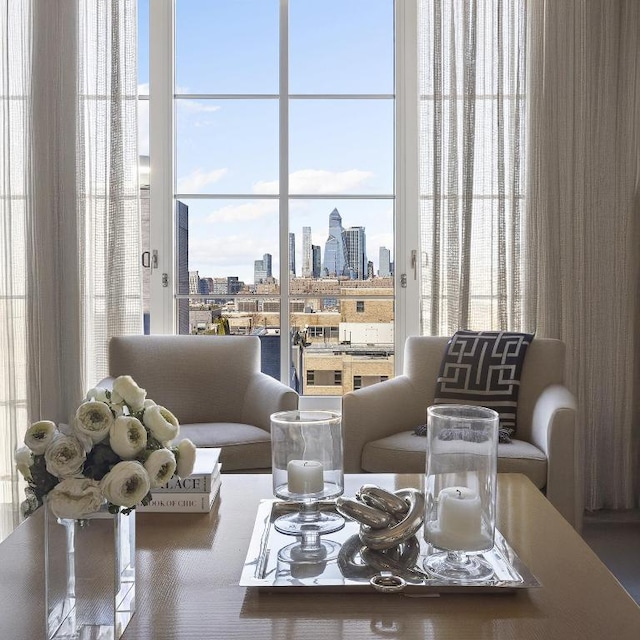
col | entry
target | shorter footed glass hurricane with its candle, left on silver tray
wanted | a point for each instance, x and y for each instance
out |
(307, 467)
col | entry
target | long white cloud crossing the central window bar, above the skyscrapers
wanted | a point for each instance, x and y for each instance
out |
(318, 182)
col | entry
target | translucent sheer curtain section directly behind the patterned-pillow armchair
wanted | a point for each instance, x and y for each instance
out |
(472, 146)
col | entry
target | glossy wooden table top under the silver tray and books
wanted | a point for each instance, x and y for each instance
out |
(189, 566)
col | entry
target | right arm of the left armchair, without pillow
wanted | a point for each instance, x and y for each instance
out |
(266, 395)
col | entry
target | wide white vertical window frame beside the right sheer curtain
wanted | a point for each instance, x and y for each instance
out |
(408, 255)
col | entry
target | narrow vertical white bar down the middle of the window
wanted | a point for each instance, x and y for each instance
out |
(285, 321)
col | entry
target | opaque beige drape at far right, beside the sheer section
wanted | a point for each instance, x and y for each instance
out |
(584, 193)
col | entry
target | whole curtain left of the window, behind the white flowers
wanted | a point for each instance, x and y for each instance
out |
(69, 220)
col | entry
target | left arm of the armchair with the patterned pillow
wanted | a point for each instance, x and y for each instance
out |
(377, 411)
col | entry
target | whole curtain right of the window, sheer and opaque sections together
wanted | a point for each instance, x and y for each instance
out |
(530, 198)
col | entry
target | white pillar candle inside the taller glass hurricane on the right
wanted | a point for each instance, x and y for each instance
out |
(459, 523)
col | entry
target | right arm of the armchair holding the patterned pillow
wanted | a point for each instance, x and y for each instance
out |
(554, 430)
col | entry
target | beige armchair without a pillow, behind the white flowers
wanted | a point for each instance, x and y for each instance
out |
(214, 386)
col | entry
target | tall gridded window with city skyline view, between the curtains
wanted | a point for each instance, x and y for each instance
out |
(272, 158)
